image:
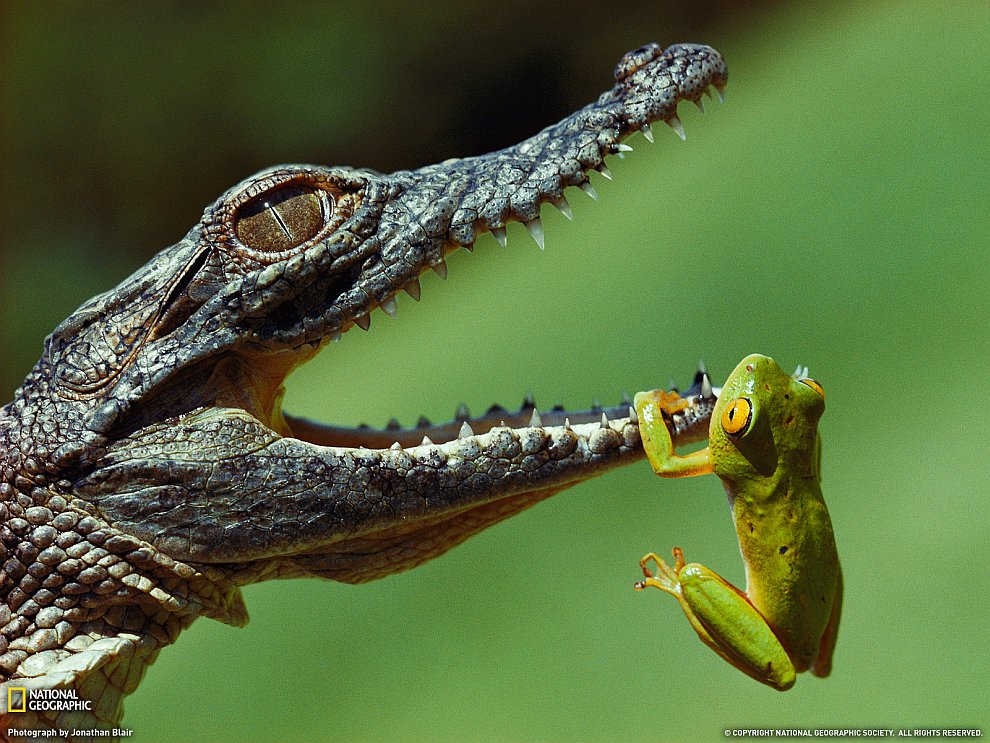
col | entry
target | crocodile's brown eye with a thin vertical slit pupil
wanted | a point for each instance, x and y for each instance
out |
(282, 219)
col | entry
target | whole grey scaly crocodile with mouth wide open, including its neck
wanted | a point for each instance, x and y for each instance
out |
(149, 472)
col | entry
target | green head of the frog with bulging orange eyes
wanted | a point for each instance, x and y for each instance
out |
(766, 421)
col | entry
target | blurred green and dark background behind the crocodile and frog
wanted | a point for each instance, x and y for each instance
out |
(833, 213)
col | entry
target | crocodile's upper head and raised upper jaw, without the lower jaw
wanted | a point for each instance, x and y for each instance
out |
(295, 256)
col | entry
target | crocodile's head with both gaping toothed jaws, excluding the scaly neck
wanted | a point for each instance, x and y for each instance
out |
(195, 455)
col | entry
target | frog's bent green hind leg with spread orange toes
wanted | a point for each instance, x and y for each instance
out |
(723, 617)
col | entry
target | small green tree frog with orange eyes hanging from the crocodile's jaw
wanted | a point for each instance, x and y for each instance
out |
(763, 443)
